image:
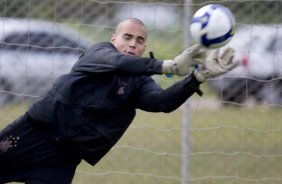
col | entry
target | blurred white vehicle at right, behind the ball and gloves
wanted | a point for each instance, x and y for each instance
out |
(258, 77)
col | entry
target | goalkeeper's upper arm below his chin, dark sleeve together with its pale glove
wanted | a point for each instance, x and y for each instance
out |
(104, 58)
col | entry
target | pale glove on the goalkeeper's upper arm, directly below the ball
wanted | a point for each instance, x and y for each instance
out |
(181, 64)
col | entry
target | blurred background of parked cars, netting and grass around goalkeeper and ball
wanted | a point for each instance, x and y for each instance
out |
(230, 135)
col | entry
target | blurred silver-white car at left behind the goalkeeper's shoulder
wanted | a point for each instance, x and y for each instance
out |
(33, 54)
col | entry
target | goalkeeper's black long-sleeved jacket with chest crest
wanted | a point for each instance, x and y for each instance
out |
(88, 110)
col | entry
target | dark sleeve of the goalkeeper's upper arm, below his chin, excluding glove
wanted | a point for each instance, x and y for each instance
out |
(104, 58)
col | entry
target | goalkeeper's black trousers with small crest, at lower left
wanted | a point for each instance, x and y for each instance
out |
(28, 154)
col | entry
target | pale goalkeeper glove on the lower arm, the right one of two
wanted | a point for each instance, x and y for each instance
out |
(216, 65)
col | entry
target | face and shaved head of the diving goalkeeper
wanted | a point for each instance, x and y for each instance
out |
(130, 38)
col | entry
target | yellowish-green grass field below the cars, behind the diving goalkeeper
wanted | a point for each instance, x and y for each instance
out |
(227, 145)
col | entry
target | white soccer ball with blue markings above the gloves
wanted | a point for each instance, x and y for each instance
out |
(212, 26)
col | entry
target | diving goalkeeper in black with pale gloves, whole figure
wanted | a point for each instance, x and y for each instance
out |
(87, 110)
